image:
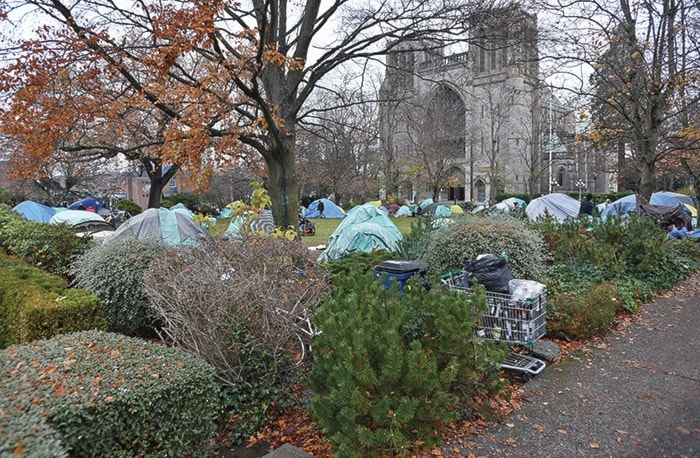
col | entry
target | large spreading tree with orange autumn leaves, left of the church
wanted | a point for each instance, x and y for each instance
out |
(257, 63)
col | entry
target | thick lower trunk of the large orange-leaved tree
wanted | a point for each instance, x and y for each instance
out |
(283, 184)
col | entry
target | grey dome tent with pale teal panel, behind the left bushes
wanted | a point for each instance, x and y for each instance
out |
(171, 227)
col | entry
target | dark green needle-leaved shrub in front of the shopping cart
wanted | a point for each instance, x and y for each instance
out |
(388, 364)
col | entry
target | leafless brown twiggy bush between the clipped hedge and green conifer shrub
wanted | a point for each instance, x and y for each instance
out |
(234, 303)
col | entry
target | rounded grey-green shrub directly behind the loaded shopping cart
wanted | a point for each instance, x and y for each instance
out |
(471, 236)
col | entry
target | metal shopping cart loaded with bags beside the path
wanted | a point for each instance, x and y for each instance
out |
(515, 322)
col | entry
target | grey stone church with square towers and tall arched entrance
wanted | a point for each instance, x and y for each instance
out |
(468, 125)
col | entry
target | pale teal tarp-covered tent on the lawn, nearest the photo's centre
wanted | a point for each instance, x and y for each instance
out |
(365, 229)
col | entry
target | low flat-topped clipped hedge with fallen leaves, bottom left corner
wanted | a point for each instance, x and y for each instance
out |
(103, 394)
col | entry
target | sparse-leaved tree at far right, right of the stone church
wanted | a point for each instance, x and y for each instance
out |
(643, 62)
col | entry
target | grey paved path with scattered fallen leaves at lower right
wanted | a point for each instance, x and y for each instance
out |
(634, 393)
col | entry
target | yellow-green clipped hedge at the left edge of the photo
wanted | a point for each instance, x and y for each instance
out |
(36, 305)
